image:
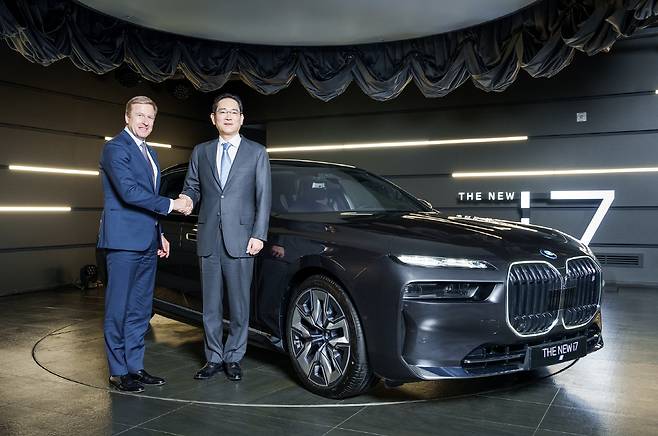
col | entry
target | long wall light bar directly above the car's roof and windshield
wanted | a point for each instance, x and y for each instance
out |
(395, 144)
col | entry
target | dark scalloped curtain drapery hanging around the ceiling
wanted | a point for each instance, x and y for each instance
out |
(541, 39)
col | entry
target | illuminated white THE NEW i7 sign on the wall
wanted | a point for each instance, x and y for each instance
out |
(606, 197)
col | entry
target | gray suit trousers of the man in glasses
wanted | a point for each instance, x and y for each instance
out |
(221, 271)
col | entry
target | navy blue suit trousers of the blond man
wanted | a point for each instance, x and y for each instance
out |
(128, 306)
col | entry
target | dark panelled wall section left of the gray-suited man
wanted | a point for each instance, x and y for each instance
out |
(57, 117)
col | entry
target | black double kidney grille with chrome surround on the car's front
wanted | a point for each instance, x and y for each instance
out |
(538, 295)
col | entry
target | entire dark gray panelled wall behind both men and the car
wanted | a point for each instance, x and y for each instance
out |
(55, 116)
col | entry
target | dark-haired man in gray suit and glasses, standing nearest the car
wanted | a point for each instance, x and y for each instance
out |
(230, 176)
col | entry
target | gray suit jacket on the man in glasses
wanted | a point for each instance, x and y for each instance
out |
(242, 207)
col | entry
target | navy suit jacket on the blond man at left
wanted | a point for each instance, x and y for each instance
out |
(132, 203)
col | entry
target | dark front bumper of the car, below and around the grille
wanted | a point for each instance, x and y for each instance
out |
(433, 339)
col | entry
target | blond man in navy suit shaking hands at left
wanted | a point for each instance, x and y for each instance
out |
(130, 233)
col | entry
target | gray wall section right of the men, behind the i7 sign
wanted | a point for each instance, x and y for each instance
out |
(617, 92)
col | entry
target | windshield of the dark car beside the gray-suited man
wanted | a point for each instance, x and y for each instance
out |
(297, 189)
